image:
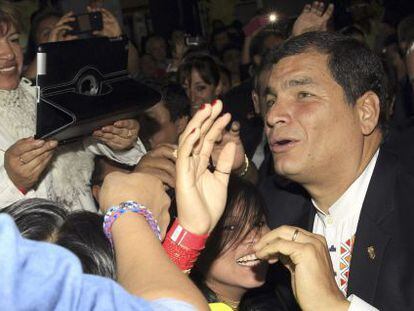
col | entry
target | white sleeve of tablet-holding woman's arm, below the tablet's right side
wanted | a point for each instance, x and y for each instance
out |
(129, 157)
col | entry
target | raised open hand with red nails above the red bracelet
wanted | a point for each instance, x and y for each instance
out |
(201, 194)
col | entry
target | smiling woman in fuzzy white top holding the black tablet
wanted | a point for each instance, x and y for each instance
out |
(37, 168)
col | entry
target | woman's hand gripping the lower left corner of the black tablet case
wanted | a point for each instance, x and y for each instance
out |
(26, 160)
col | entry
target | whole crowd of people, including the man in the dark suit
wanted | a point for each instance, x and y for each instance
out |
(275, 173)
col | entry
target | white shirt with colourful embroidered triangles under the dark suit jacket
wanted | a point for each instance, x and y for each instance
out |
(339, 227)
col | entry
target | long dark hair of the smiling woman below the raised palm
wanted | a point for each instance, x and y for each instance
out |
(243, 213)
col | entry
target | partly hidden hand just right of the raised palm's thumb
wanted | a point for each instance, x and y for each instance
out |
(233, 135)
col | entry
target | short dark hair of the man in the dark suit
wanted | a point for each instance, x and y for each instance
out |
(353, 65)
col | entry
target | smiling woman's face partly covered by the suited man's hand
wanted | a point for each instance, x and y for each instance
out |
(237, 270)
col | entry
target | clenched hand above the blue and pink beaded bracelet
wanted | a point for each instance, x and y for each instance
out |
(141, 188)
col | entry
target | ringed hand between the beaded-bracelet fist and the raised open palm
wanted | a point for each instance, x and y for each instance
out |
(159, 162)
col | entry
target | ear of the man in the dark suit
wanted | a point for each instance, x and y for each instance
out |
(368, 107)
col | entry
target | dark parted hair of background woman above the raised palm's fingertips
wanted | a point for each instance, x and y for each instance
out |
(205, 65)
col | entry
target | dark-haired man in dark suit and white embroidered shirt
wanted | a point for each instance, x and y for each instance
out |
(326, 108)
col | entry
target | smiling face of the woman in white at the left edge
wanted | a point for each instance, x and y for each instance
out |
(11, 58)
